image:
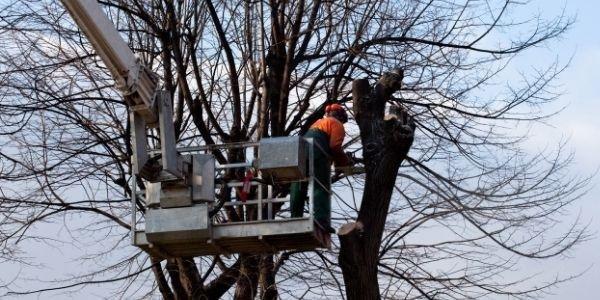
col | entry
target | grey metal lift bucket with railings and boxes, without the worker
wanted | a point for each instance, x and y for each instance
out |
(175, 227)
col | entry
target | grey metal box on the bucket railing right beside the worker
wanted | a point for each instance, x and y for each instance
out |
(283, 158)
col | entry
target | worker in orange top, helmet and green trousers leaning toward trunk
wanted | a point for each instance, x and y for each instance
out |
(327, 134)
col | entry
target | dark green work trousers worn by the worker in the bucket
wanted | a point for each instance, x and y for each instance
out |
(322, 173)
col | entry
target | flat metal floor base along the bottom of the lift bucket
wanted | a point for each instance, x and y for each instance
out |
(248, 237)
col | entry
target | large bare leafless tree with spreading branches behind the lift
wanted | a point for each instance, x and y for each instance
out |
(444, 155)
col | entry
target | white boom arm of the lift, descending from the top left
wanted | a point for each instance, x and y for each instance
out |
(137, 83)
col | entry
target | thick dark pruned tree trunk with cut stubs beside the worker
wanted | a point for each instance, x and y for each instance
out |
(386, 141)
